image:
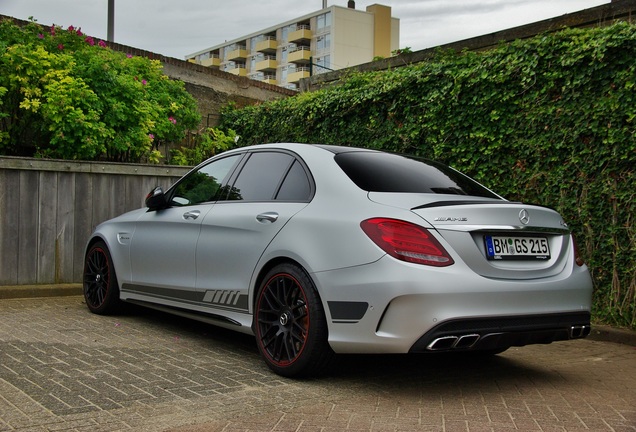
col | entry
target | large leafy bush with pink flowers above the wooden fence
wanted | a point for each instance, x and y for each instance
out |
(65, 95)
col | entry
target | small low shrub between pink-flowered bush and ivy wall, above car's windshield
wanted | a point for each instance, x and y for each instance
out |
(209, 143)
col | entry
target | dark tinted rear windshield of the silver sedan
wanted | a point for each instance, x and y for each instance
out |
(385, 172)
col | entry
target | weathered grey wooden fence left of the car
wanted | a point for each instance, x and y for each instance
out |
(49, 208)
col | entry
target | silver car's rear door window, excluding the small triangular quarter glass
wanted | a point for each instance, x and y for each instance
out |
(261, 176)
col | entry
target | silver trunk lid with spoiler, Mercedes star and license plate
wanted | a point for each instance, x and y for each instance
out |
(495, 238)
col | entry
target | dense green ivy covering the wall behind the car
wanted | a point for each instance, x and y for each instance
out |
(547, 120)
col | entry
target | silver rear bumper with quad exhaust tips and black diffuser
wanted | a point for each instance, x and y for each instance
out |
(402, 308)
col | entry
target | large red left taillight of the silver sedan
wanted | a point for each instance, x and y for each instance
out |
(406, 241)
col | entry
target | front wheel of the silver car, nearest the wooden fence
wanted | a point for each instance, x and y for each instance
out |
(101, 291)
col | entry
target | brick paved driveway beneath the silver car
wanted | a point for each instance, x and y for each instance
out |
(62, 368)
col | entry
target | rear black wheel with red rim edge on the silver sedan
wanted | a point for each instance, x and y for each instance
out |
(290, 325)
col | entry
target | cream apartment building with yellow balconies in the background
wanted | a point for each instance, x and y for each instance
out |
(333, 38)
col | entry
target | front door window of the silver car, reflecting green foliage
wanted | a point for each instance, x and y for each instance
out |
(204, 184)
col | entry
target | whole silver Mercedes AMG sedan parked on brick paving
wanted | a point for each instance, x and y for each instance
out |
(318, 250)
